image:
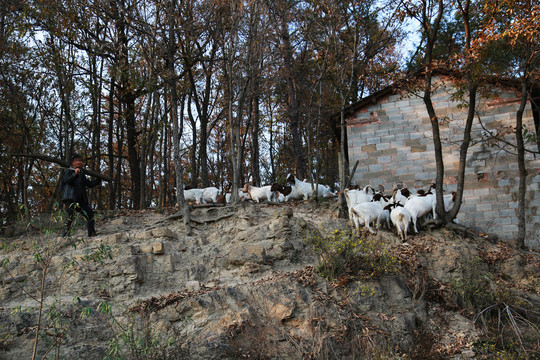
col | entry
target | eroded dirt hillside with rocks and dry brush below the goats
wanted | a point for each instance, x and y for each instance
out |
(264, 282)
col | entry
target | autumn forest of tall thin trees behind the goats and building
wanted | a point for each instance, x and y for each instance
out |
(160, 94)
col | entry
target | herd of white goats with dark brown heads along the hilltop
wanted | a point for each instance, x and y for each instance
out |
(366, 205)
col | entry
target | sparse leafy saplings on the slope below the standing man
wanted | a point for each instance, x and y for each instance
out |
(53, 319)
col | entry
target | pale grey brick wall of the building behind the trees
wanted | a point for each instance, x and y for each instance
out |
(389, 133)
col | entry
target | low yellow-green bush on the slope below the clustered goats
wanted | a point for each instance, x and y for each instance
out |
(345, 254)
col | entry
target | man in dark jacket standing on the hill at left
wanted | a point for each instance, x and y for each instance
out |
(74, 184)
